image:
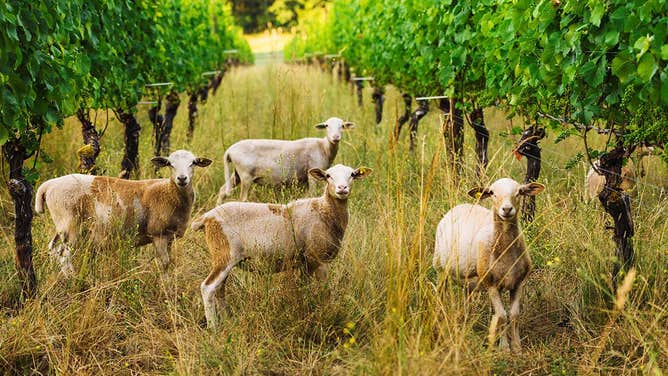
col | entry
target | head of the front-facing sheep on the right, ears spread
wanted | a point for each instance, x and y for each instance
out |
(505, 194)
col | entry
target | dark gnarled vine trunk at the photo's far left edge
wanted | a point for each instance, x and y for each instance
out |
(21, 191)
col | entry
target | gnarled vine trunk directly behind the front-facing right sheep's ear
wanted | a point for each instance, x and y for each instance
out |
(528, 147)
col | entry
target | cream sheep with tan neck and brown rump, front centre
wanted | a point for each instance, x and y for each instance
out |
(306, 233)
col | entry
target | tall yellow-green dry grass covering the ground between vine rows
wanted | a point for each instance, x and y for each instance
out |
(384, 309)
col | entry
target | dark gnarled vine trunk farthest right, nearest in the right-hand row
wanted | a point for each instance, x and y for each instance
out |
(618, 205)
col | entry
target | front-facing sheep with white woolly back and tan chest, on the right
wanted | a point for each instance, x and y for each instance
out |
(475, 243)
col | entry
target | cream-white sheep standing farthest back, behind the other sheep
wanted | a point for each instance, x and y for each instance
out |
(279, 162)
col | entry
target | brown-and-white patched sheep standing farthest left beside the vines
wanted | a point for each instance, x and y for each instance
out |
(158, 209)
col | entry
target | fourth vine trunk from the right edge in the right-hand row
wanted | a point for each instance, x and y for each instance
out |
(453, 131)
